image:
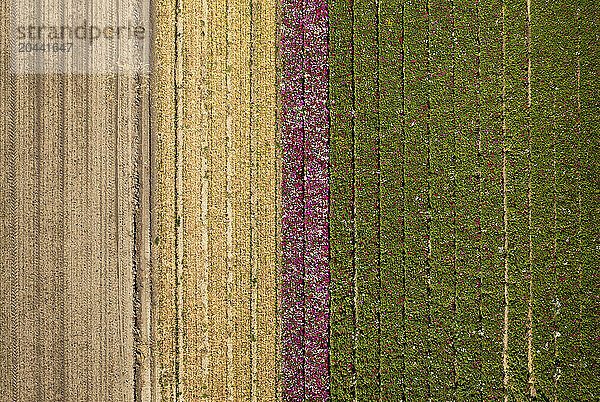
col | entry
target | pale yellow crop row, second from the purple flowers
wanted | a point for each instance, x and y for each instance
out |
(239, 241)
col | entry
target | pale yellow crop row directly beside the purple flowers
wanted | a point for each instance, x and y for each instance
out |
(265, 187)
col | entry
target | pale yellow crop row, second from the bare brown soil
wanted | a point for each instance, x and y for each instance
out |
(195, 134)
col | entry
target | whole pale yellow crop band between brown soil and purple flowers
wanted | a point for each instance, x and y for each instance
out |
(214, 206)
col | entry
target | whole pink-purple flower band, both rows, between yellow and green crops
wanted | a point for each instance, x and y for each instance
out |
(305, 237)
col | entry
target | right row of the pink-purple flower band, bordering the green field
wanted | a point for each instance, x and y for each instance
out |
(316, 189)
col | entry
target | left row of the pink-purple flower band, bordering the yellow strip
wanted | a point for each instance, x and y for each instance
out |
(292, 132)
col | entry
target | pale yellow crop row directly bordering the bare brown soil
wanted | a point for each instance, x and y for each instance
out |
(163, 202)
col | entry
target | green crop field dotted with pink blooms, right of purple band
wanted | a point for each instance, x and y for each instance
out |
(464, 199)
